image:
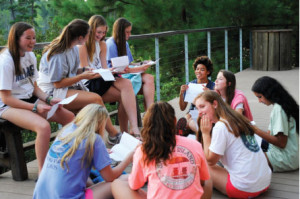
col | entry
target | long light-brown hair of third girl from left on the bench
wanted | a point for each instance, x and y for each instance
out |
(94, 22)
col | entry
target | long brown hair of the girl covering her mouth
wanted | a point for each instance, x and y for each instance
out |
(237, 123)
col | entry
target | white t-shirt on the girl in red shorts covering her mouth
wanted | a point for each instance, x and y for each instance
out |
(248, 168)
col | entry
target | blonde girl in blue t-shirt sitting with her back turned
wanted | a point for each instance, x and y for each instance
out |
(78, 147)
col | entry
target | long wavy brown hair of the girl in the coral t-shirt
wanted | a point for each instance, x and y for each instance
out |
(158, 132)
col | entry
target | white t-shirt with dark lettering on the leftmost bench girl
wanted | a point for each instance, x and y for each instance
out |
(21, 86)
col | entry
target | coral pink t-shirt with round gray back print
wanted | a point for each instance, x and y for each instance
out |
(179, 178)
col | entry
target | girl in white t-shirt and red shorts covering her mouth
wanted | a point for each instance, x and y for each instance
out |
(231, 141)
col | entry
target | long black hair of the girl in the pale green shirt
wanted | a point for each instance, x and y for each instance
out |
(273, 91)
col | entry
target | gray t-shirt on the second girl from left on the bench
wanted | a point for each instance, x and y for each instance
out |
(59, 66)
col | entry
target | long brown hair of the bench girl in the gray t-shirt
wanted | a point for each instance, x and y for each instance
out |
(72, 31)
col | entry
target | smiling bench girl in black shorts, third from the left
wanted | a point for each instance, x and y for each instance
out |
(93, 55)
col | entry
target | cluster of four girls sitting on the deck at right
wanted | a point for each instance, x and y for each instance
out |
(225, 131)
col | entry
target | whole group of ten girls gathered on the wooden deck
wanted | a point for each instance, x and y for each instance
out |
(172, 165)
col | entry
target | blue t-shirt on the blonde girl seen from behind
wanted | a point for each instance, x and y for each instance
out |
(56, 182)
